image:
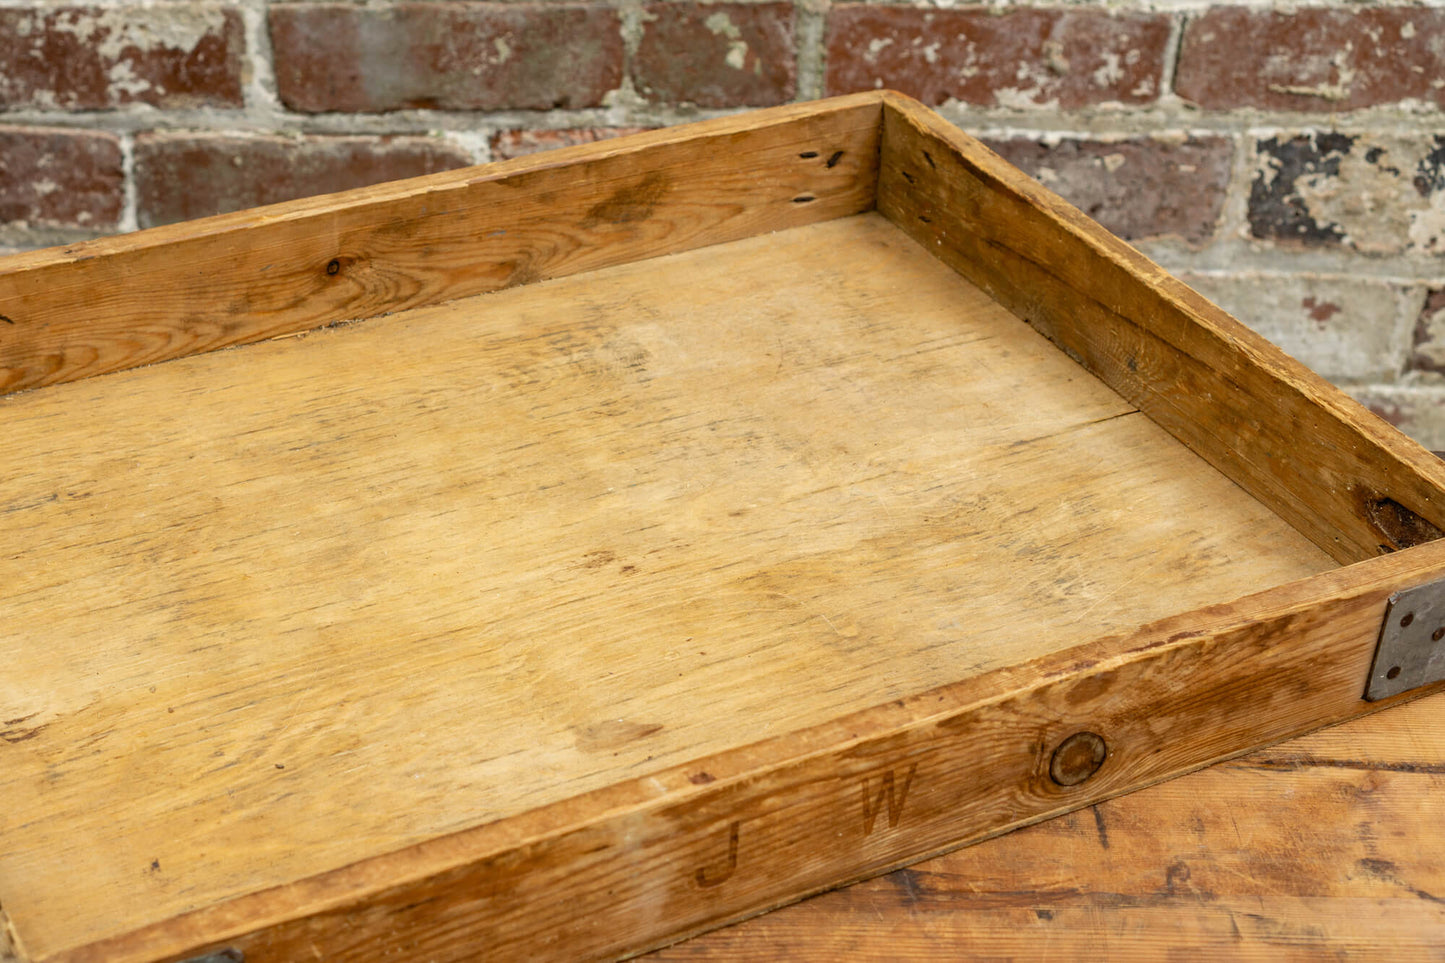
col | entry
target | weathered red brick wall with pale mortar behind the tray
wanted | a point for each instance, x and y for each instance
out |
(1288, 163)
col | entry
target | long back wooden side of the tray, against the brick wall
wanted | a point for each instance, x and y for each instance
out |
(173, 291)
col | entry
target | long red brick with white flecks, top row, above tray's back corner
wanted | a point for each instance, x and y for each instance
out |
(1019, 57)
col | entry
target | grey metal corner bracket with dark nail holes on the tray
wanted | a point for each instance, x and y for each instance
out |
(1412, 643)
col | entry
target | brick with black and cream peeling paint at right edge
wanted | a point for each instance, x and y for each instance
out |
(1378, 194)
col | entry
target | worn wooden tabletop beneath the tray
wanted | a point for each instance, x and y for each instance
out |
(1327, 847)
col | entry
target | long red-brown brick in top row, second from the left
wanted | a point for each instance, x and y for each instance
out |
(446, 56)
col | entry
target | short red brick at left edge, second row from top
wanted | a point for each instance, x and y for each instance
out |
(60, 179)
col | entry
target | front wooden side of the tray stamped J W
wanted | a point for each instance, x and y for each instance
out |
(658, 858)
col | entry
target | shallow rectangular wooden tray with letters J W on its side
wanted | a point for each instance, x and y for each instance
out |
(691, 523)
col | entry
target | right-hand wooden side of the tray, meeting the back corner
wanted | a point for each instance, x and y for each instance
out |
(1336, 472)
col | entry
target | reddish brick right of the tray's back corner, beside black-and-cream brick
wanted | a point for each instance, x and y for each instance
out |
(1144, 187)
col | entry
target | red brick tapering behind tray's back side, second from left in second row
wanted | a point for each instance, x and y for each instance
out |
(181, 176)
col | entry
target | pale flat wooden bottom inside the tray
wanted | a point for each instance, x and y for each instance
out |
(285, 615)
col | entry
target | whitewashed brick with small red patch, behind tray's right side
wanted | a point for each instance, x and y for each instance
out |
(1347, 330)
